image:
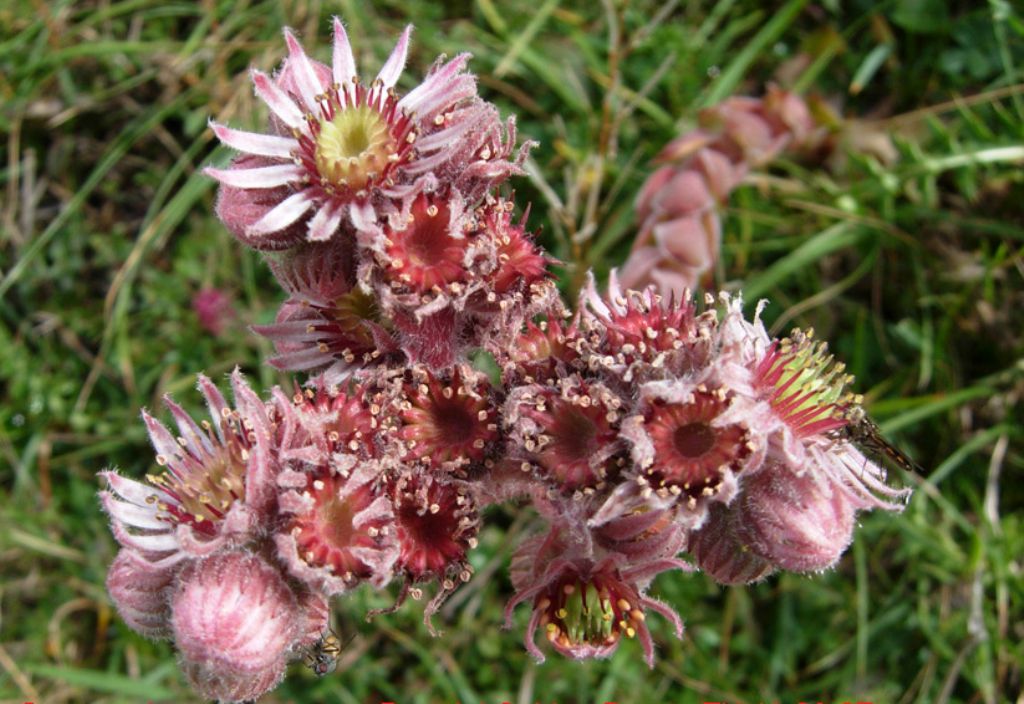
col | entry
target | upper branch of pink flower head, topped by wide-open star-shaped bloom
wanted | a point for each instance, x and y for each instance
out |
(379, 214)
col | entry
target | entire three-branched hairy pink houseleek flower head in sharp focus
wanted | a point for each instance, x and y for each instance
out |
(650, 434)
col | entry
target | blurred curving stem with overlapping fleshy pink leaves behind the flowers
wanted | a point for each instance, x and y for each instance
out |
(677, 209)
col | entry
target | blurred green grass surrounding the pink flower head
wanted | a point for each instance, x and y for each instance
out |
(902, 244)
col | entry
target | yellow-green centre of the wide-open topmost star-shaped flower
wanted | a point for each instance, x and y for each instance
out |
(354, 148)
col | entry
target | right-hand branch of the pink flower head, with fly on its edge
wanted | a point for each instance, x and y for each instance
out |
(647, 429)
